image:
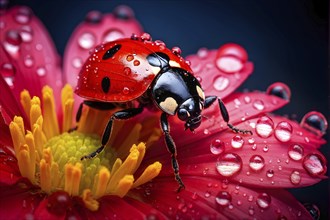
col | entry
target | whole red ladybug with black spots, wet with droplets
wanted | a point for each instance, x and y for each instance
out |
(139, 70)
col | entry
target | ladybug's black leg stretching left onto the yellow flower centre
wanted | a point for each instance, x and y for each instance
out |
(120, 115)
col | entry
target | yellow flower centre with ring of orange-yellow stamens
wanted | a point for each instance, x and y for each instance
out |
(51, 159)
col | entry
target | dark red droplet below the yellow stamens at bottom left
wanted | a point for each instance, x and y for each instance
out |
(59, 202)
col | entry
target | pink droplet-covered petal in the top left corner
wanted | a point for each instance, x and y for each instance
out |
(31, 51)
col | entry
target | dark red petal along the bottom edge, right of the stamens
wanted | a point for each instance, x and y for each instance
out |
(214, 199)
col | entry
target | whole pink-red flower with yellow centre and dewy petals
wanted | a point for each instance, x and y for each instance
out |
(227, 175)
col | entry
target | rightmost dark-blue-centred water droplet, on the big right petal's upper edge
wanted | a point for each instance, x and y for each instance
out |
(315, 122)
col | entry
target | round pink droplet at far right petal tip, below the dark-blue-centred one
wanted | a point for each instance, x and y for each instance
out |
(315, 164)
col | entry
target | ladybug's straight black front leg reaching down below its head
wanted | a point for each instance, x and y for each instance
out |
(172, 149)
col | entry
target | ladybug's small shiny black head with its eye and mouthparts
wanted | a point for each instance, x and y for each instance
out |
(190, 112)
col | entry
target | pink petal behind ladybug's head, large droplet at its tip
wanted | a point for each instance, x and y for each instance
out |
(215, 80)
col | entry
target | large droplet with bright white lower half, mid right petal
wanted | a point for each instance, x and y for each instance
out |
(229, 164)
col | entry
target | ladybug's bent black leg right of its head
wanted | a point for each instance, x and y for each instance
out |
(209, 100)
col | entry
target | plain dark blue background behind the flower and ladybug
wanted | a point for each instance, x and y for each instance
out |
(287, 41)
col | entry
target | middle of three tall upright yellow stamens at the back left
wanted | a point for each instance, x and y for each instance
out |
(50, 126)
